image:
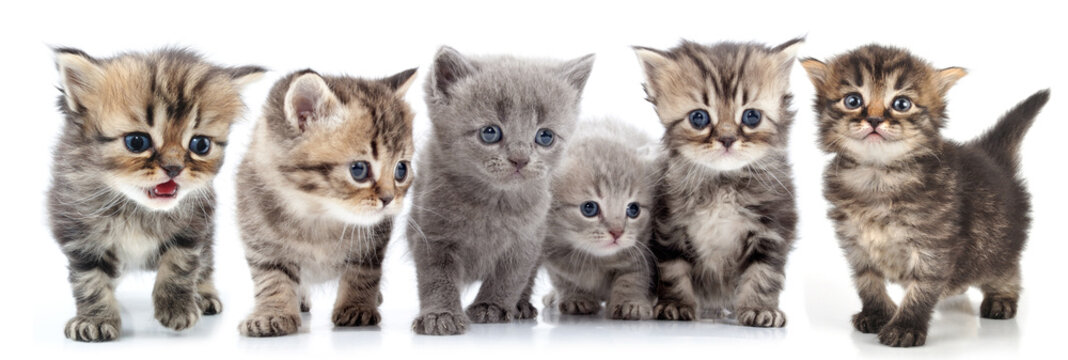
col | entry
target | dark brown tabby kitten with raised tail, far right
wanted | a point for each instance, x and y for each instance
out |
(909, 207)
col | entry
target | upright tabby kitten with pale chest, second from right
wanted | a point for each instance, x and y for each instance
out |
(726, 217)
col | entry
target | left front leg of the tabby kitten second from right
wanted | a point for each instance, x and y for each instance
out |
(676, 299)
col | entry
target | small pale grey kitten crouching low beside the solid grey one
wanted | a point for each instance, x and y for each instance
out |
(601, 222)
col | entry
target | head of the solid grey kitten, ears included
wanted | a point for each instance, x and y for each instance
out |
(506, 120)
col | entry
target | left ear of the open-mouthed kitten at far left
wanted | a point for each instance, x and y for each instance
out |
(80, 76)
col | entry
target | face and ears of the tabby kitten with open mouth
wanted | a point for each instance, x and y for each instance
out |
(156, 123)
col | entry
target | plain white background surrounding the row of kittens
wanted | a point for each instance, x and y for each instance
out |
(1012, 51)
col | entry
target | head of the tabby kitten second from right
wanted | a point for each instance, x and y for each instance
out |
(725, 106)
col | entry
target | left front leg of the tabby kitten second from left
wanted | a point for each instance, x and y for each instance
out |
(278, 301)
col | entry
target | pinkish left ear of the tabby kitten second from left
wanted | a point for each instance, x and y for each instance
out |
(309, 102)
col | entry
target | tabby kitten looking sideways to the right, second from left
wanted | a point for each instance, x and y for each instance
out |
(327, 171)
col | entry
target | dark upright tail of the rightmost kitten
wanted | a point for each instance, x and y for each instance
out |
(1002, 143)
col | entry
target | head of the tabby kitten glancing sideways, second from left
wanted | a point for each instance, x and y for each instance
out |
(344, 145)
